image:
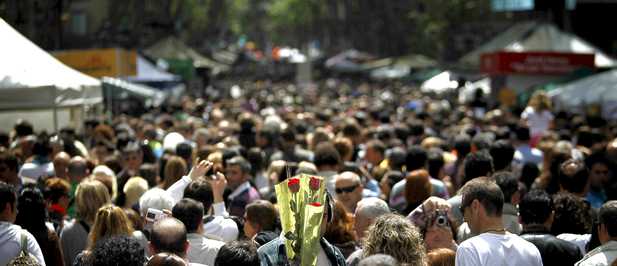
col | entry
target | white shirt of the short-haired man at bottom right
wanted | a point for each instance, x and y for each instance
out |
(497, 250)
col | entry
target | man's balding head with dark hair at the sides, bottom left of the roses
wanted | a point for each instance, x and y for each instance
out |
(169, 235)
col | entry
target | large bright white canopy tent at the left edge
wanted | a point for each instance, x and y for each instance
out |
(31, 79)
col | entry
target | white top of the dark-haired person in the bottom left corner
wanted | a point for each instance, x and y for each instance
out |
(10, 243)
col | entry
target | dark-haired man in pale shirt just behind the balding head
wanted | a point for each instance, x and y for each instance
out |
(201, 248)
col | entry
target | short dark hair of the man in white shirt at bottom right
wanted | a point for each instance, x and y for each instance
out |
(486, 192)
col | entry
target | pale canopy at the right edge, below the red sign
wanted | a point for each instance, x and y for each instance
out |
(598, 89)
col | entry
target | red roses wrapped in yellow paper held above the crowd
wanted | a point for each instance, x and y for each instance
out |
(301, 202)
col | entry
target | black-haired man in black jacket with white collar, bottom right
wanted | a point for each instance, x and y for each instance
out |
(536, 210)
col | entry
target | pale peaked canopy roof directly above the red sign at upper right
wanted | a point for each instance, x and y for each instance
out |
(537, 37)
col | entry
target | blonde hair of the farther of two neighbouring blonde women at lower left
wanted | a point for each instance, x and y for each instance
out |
(89, 197)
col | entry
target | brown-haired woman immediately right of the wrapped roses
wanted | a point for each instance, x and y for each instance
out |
(340, 231)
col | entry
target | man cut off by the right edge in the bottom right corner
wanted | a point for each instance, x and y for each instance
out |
(607, 233)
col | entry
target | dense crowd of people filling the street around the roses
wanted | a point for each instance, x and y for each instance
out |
(412, 179)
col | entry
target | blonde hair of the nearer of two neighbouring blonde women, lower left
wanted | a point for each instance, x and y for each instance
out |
(110, 221)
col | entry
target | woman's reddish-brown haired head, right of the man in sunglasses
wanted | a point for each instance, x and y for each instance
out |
(418, 188)
